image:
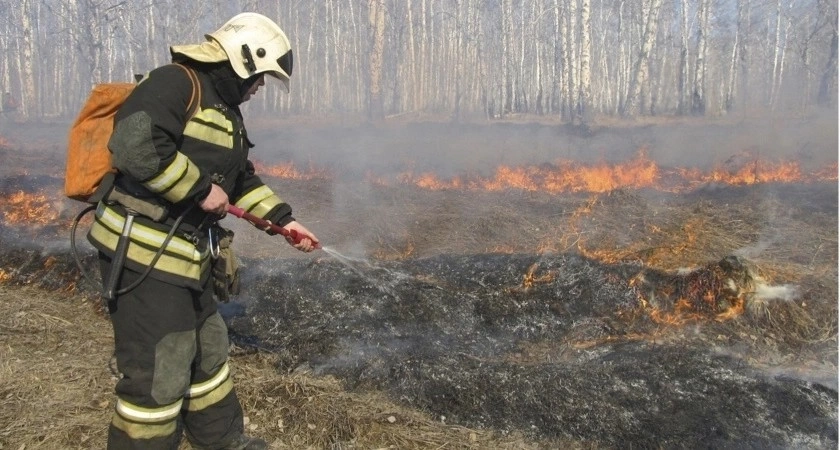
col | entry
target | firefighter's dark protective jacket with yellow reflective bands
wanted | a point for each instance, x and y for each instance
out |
(170, 155)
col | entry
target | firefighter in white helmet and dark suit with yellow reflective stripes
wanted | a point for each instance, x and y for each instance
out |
(179, 167)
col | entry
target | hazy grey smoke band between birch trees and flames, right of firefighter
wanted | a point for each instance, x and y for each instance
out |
(448, 149)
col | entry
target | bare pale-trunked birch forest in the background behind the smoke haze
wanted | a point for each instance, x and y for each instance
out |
(569, 59)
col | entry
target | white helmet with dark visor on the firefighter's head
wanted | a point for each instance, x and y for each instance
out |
(253, 44)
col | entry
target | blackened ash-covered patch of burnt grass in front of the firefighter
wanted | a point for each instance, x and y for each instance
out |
(549, 345)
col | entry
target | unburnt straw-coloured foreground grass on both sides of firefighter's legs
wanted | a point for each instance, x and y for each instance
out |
(57, 391)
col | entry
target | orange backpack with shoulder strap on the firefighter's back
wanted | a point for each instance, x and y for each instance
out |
(88, 157)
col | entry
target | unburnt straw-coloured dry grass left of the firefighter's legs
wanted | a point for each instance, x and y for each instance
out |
(54, 380)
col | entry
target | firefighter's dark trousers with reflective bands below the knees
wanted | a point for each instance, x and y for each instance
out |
(171, 348)
